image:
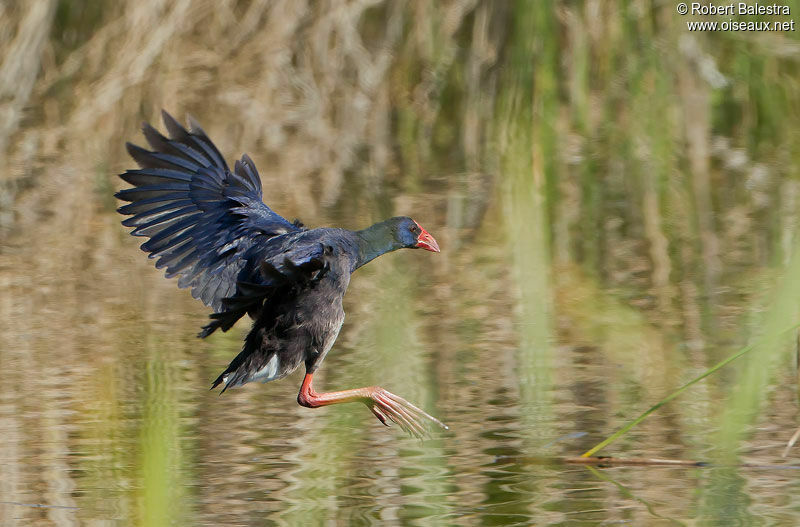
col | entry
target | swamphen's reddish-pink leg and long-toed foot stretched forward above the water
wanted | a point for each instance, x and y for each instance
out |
(385, 405)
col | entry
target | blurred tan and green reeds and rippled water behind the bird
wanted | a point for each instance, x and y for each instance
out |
(617, 203)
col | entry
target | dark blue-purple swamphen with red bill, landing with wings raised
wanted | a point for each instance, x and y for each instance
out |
(209, 227)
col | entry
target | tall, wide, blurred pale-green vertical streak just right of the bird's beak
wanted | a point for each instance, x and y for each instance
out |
(525, 149)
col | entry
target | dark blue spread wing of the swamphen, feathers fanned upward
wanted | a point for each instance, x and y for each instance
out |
(206, 225)
